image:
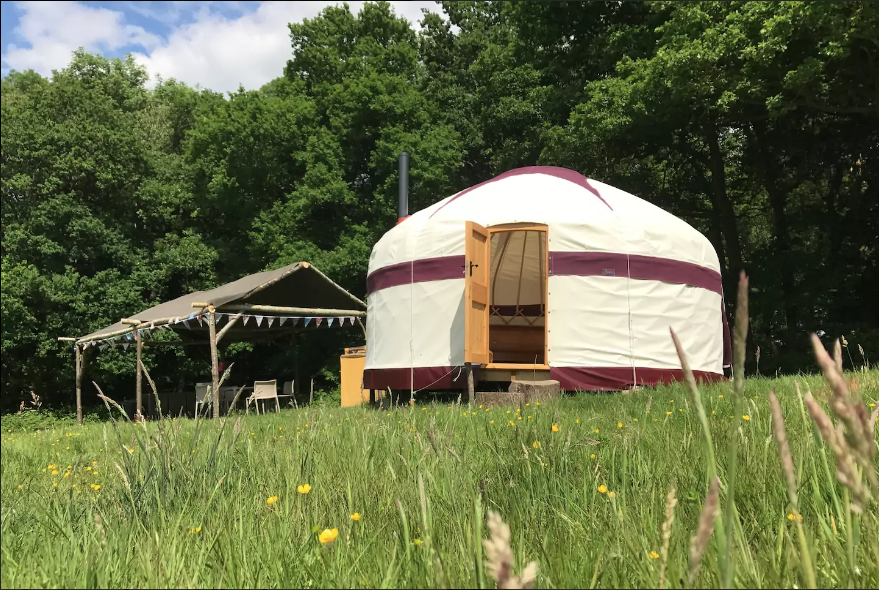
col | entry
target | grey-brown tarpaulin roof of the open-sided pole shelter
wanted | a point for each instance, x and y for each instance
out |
(296, 285)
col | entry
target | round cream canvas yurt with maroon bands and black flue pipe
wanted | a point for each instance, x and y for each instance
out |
(542, 273)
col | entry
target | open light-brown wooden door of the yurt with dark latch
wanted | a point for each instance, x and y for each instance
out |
(477, 296)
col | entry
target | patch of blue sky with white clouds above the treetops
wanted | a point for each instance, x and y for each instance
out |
(215, 45)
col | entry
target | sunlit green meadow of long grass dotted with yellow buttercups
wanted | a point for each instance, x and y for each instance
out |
(186, 505)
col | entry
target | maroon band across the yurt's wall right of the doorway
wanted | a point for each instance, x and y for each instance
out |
(647, 268)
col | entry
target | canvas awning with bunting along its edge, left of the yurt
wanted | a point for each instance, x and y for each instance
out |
(298, 293)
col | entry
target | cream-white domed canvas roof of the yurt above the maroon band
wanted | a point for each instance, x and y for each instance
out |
(582, 215)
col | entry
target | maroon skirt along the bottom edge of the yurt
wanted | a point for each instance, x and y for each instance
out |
(570, 378)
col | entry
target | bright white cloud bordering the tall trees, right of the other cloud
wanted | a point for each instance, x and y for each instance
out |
(220, 53)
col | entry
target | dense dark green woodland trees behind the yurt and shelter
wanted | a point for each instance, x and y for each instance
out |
(758, 123)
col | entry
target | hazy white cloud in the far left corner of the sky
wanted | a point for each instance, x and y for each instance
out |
(55, 29)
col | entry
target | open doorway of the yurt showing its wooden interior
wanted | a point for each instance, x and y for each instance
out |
(518, 271)
